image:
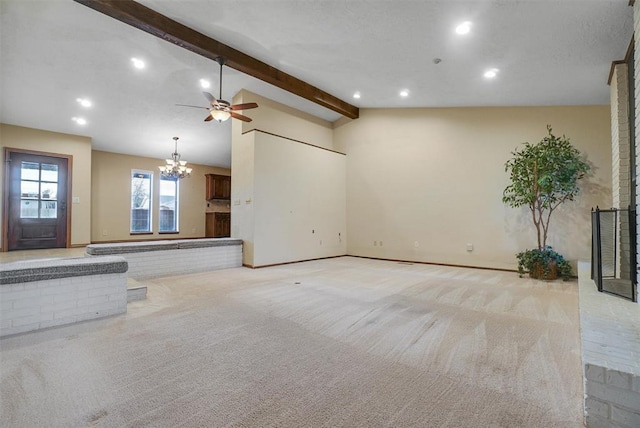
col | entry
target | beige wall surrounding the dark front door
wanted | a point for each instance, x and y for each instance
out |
(66, 144)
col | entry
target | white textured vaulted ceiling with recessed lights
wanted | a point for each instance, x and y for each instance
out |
(54, 51)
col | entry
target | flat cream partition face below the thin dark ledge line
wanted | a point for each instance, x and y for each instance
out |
(299, 201)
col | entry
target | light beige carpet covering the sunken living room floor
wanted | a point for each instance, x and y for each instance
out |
(333, 343)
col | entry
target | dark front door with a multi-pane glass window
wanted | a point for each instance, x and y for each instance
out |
(36, 207)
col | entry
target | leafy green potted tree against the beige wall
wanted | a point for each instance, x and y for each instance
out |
(543, 176)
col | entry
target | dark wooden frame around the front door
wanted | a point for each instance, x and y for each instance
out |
(5, 191)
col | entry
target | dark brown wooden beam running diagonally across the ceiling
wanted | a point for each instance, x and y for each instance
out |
(152, 22)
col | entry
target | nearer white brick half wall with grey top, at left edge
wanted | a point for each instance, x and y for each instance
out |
(39, 294)
